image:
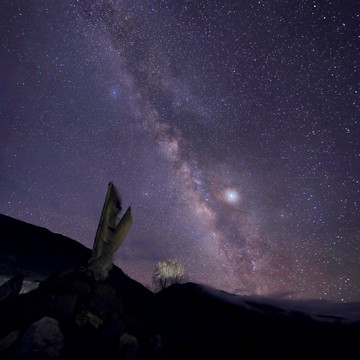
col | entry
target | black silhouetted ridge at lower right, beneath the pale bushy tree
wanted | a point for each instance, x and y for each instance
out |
(197, 322)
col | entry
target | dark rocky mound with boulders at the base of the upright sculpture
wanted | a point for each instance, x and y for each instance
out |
(70, 316)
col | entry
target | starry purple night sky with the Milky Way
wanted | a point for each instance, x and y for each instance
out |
(230, 127)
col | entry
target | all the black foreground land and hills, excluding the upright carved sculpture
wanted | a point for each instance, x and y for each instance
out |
(72, 316)
